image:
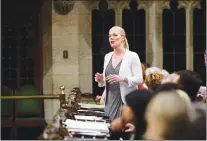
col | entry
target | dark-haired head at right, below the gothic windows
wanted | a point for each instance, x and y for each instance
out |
(191, 82)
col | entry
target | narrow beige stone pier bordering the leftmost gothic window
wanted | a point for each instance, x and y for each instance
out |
(85, 47)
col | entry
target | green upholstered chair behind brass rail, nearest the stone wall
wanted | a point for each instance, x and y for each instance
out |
(28, 112)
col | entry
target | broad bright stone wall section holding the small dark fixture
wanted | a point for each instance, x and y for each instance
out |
(65, 37)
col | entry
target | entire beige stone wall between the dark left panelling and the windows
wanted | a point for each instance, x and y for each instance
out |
(71, 32)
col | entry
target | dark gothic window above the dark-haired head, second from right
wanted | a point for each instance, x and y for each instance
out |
(174, 39)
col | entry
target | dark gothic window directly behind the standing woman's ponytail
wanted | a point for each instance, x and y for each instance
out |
(134, 26)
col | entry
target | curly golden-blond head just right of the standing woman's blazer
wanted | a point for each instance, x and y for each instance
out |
(153, 80)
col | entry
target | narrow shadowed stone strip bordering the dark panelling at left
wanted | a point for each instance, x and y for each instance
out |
(47, 57)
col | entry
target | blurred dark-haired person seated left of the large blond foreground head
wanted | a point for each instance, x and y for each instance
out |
(132, 114)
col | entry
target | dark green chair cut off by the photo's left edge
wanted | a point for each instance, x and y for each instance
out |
(7, 114)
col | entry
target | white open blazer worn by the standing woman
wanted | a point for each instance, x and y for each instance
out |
(130, 68)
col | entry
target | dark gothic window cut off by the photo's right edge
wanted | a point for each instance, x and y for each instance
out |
(199, 41)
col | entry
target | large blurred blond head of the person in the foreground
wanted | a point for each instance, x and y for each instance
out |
(171, 112)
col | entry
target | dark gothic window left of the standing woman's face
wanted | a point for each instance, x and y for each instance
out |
(101, 23)
